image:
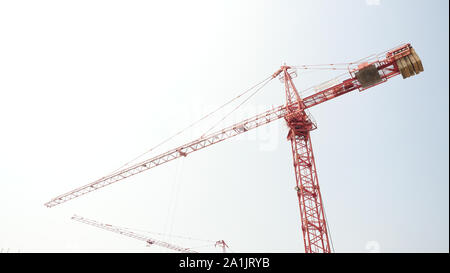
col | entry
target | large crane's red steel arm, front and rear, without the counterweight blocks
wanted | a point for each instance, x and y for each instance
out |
(387, 69)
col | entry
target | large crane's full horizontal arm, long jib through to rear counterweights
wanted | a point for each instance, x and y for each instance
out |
(402, 60)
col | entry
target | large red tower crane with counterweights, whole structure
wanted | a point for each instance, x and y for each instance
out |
(362, 75)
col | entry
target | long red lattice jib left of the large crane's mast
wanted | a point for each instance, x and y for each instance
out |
(244, 126)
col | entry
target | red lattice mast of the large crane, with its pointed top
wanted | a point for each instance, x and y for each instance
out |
(314, 226)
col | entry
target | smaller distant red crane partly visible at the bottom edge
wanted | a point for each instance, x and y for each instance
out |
(150, 241)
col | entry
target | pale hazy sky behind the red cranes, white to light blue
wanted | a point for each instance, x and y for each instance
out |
(86, 86)
